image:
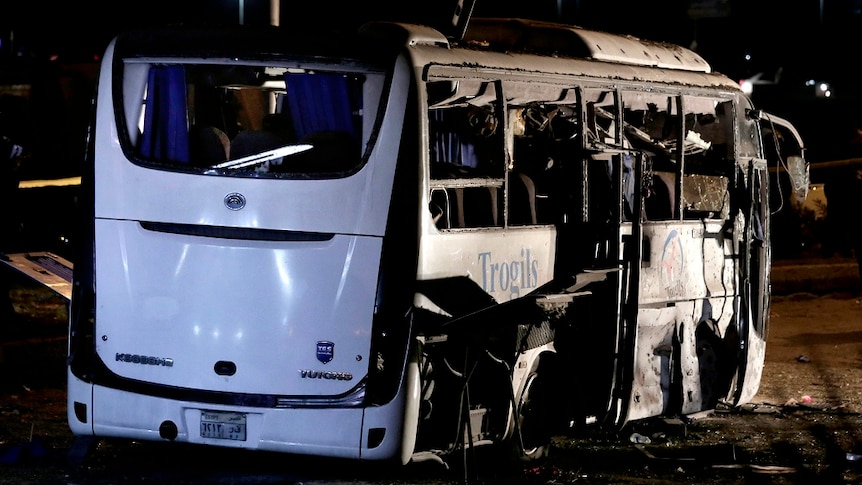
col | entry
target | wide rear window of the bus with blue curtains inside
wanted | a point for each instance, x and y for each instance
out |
(225, 119)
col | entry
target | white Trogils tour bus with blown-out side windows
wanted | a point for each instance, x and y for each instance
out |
(402, 244)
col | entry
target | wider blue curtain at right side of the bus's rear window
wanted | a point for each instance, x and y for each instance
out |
(320, 102)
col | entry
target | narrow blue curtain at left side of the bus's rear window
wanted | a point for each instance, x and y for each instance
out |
(166, 135)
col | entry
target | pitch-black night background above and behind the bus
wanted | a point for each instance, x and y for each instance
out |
(50, 50)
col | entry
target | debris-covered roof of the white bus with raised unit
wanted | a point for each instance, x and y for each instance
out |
(497, 43)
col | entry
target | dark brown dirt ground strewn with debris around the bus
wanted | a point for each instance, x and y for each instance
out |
(804, 425)
